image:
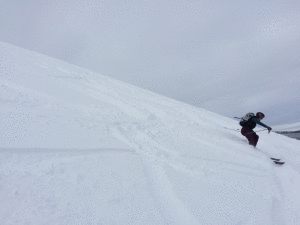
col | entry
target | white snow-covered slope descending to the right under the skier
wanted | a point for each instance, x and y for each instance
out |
(77, 147)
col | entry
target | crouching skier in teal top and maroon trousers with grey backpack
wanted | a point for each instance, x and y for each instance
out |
(249, 124)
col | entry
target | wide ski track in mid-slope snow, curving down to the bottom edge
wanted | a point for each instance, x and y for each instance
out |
(170, 205)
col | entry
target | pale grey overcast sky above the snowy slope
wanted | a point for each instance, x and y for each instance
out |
(194, 51)
